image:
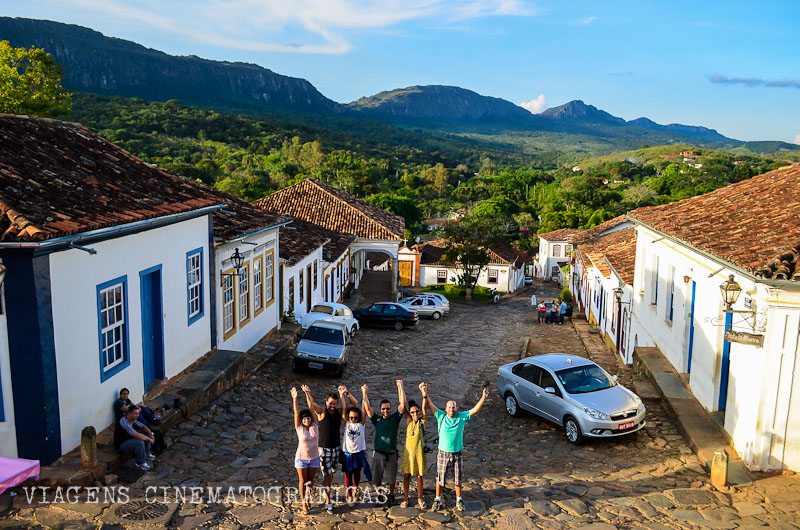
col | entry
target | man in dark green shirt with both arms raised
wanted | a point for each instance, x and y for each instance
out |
(384, 458)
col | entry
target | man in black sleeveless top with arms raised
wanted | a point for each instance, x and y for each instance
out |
(330, 439)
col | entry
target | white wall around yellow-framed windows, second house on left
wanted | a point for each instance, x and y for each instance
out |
(247, 333)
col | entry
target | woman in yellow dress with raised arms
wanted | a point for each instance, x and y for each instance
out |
(414, 461)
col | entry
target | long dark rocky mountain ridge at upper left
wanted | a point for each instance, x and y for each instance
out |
(102, 65)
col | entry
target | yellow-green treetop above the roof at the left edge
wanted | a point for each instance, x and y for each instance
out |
(30, 82)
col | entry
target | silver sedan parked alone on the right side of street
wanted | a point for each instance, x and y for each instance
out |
(573, 392)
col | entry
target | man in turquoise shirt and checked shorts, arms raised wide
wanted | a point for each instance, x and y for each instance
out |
(451, 444)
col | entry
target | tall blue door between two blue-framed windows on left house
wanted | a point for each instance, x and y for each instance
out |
(152, 326)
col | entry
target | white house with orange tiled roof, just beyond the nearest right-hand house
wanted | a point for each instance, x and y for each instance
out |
(602, 281)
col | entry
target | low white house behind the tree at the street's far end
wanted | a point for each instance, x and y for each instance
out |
(505, 272)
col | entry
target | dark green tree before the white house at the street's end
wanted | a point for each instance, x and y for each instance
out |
(467, 246)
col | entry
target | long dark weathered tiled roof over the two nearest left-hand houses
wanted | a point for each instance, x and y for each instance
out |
(59, 179)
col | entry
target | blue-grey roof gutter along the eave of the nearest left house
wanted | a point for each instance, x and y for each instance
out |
(51, 245)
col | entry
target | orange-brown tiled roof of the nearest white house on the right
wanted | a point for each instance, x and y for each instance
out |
(750, 224)
